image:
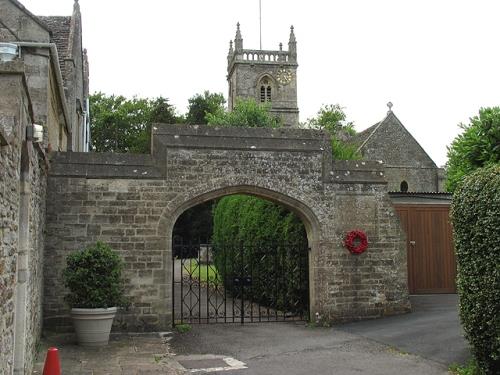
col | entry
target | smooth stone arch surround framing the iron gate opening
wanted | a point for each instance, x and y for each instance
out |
(305, 213)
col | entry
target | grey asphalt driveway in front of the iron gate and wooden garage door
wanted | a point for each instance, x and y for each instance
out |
(371, 347)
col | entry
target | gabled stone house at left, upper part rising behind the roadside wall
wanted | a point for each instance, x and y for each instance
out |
(56, 70)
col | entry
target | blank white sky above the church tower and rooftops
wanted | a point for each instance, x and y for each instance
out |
(438, 61)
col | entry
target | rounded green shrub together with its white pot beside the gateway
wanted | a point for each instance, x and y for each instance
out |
(94, 279)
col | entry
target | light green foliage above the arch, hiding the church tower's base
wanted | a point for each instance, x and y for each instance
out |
(246, 113)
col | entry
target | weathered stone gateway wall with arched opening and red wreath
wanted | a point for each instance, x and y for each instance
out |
(132, 202)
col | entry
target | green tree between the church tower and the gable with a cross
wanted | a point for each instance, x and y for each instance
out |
(332, 119)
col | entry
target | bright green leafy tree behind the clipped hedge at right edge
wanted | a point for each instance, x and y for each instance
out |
(477, 146)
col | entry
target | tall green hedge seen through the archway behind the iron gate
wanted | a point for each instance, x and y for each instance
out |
(256, 237)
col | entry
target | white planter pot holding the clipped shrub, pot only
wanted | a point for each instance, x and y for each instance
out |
(93, 326)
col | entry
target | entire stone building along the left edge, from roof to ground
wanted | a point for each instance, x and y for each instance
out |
(45, 82)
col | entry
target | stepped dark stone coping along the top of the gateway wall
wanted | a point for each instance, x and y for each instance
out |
(165, 137)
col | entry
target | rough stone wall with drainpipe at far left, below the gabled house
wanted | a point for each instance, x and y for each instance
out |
(22, 179)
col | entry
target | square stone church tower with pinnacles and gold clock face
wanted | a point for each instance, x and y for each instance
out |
(266, 76)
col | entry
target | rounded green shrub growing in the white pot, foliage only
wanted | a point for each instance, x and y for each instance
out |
(94, 278)
